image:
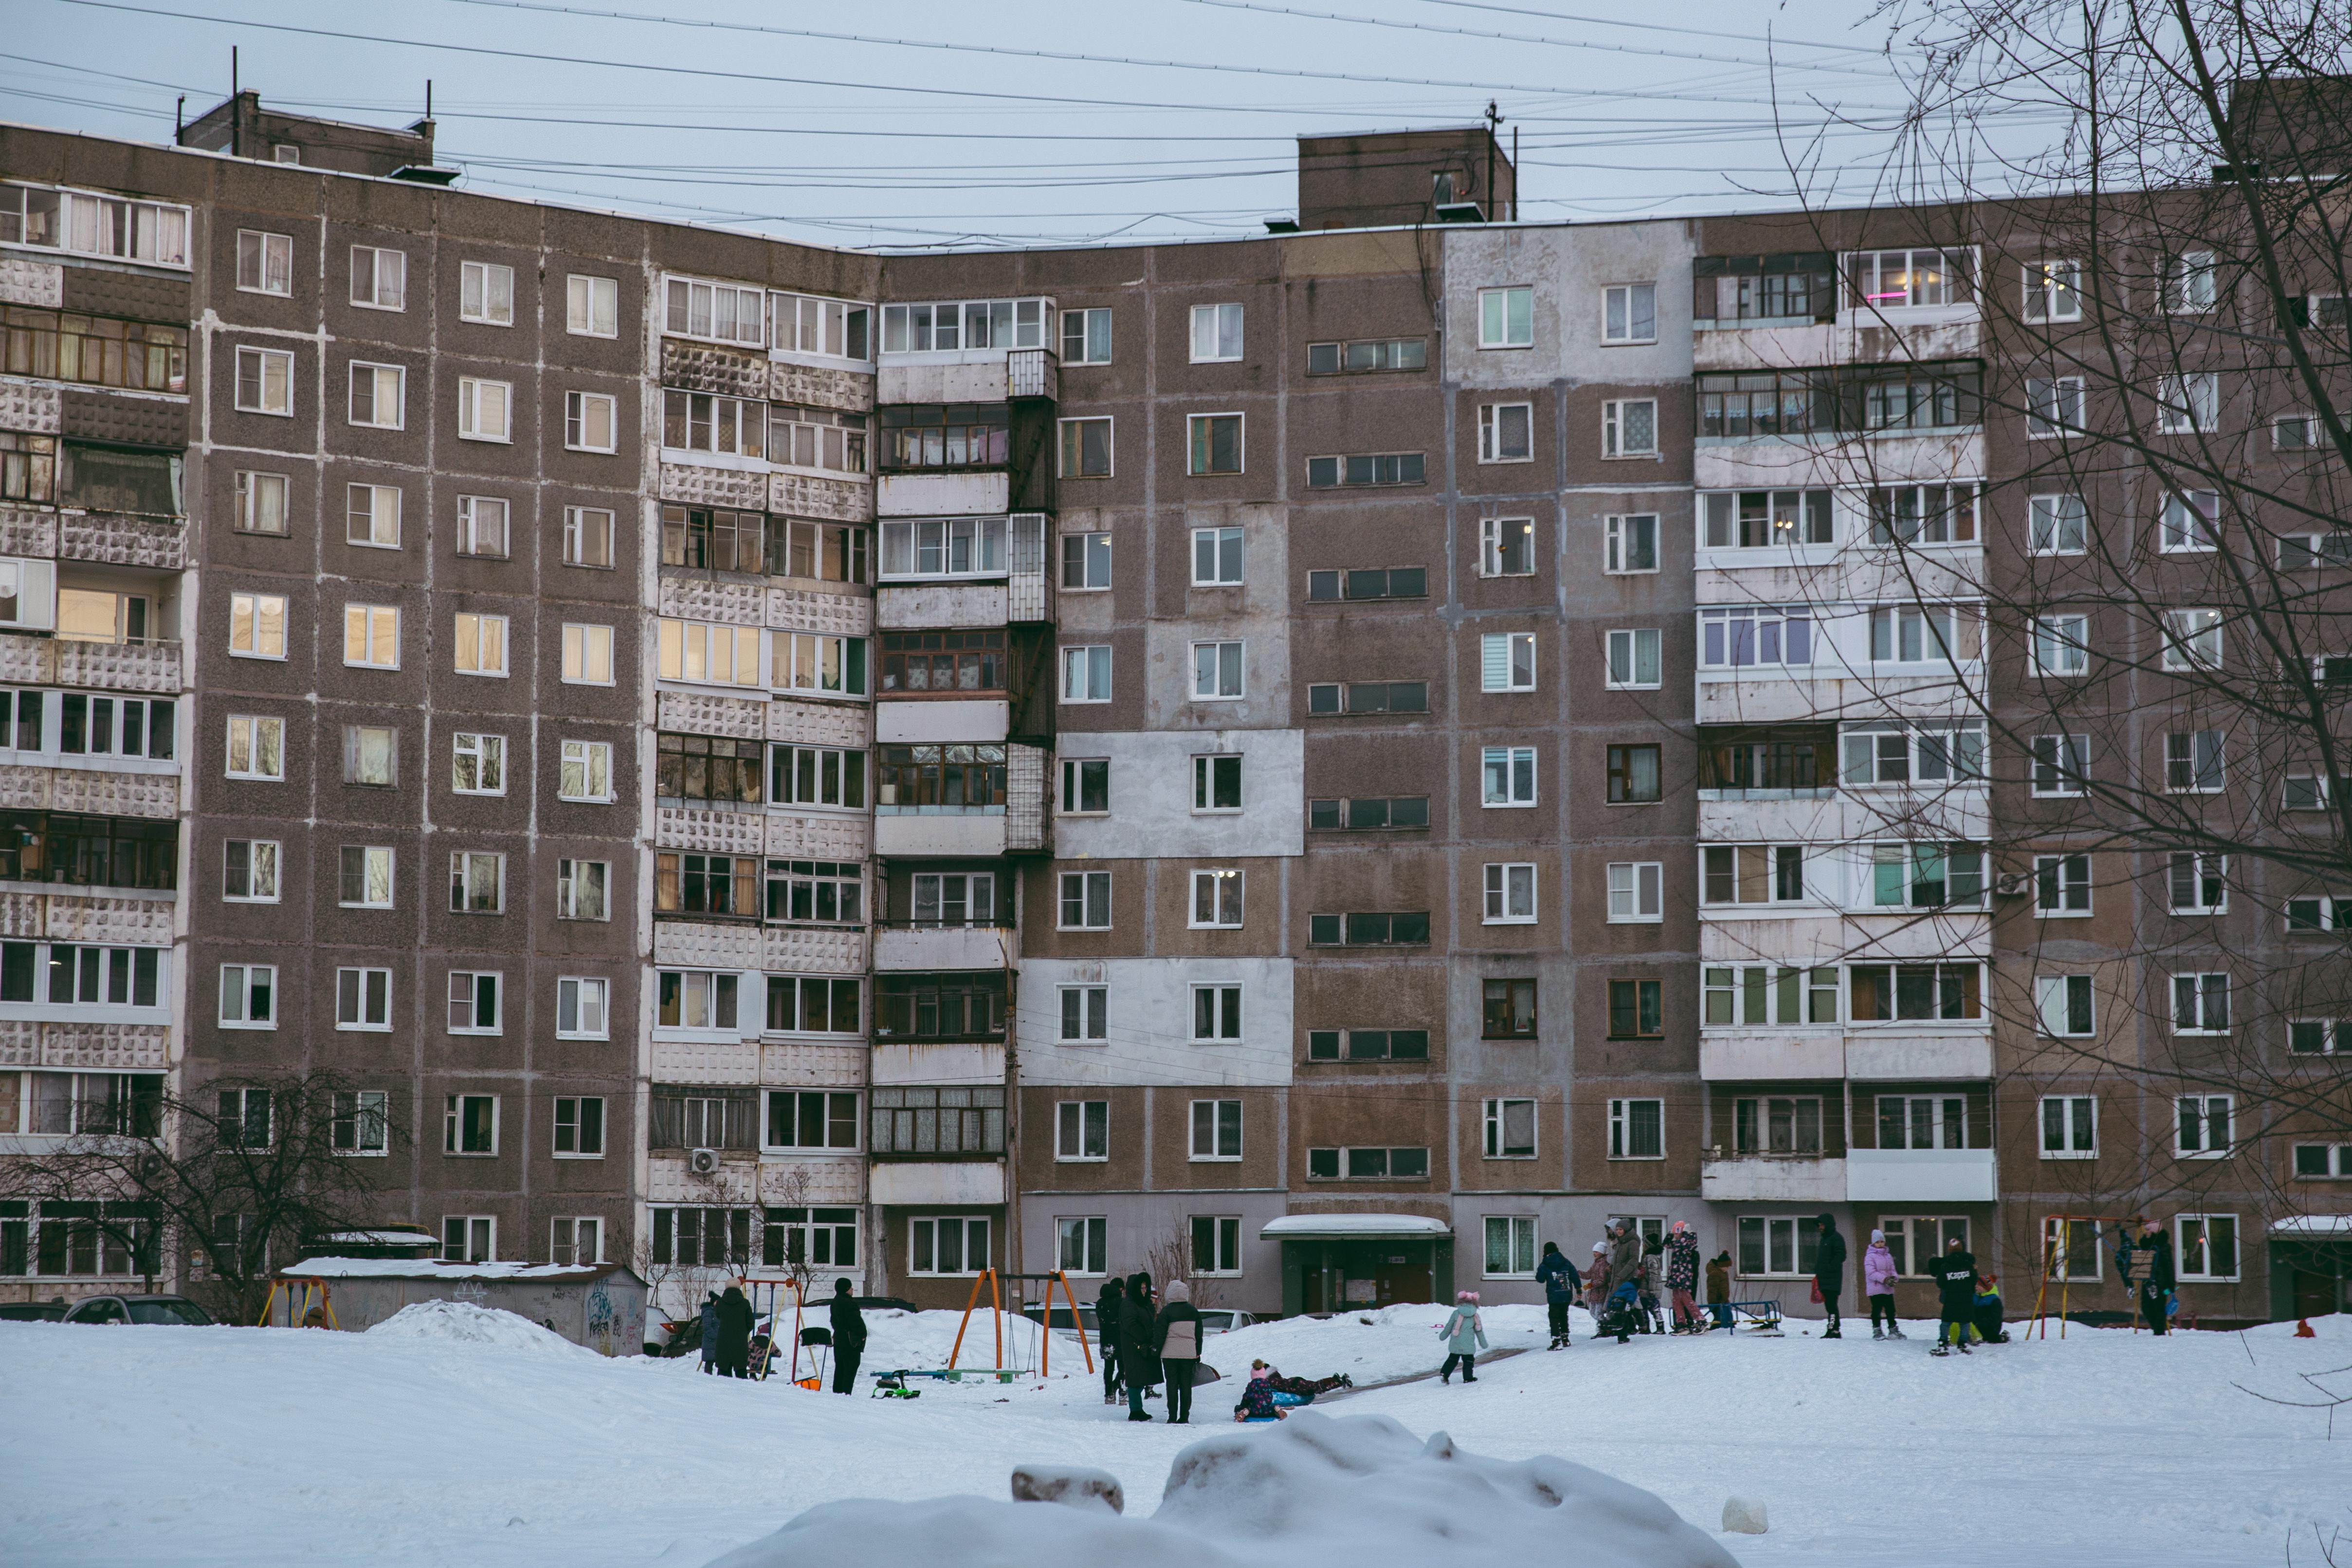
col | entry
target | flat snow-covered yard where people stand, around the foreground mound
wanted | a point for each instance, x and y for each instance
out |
(298, 1447)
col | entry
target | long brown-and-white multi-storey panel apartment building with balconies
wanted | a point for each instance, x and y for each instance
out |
(1321, 763)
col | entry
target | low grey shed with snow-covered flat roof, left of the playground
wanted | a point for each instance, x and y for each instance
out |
(594, 1304)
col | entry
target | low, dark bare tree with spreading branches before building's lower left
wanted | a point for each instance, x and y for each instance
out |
(234, 1181)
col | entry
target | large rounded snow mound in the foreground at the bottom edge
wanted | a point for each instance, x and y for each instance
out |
(1314, 1489)
